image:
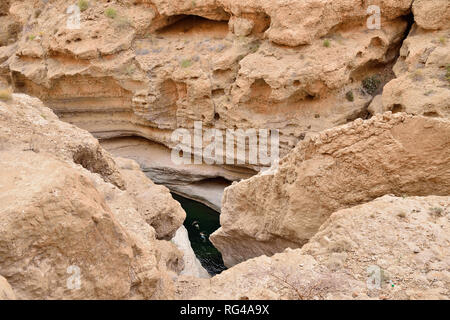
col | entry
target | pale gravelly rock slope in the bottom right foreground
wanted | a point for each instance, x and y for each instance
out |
(408, 239)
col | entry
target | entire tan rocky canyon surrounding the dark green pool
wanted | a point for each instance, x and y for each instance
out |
(86, 143)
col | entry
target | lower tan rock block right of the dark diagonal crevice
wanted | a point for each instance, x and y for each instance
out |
(422, 85)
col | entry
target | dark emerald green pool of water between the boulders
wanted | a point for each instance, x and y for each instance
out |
(200, 222)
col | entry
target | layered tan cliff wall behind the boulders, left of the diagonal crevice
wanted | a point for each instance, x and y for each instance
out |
(152, 67)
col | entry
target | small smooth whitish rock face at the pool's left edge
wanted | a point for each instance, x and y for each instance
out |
(192, 266)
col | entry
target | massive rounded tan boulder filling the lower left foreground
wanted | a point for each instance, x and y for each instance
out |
(63, 212)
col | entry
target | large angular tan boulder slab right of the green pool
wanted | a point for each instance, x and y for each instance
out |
(284, 207)
